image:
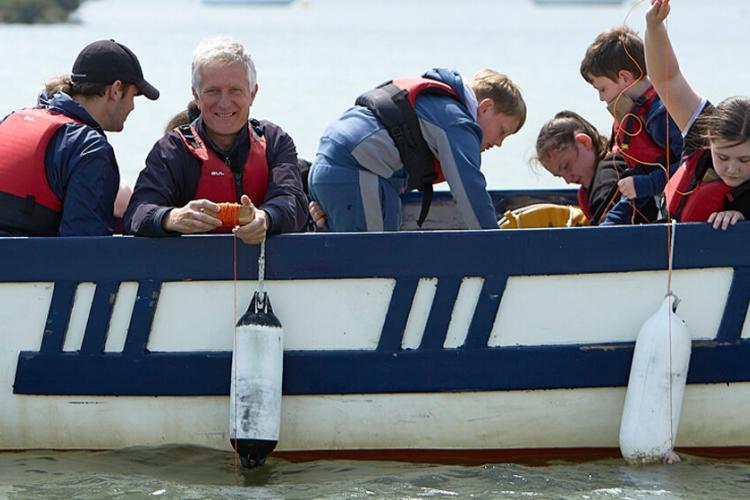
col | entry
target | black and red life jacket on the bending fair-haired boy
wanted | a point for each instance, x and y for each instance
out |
(393, 103)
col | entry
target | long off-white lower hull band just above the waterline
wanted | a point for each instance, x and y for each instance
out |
(713, 415)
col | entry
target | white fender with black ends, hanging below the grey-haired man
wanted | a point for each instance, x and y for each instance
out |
(255, 392)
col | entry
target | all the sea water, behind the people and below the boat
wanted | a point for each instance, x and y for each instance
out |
(313, 58)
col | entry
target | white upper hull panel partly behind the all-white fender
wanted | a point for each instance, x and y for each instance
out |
(605, 307)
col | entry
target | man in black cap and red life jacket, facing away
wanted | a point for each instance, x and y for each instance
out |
(58, 173)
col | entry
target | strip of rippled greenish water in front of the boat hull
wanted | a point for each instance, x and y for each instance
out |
(189, 472)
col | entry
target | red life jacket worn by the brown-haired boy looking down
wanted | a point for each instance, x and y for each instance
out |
(631, 141)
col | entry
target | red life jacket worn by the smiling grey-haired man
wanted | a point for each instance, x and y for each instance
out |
(217, 182)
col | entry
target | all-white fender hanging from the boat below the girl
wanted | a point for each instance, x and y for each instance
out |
(649, 420)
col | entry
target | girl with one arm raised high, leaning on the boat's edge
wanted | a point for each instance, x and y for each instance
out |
(707, 187)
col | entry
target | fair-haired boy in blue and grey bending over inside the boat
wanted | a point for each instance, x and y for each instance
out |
(409, 134)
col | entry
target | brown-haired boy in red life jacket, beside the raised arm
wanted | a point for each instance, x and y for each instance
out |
(614, 64)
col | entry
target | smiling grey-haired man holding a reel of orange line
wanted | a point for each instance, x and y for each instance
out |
(222, 156)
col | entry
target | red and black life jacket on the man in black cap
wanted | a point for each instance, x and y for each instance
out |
(27, 203)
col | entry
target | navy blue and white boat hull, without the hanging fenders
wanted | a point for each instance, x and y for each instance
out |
(452, 344)
